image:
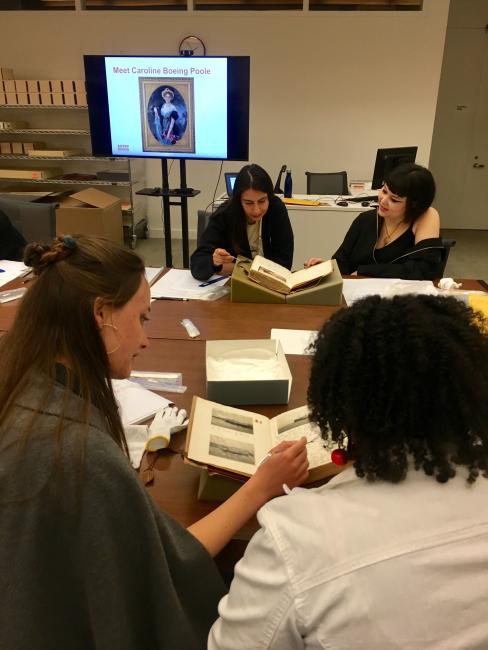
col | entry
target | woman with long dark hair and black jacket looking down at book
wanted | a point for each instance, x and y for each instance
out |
(252, 222)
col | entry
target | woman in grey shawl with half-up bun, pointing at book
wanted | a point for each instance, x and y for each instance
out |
(86, 558)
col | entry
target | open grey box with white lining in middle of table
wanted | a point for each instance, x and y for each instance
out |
(222, 379)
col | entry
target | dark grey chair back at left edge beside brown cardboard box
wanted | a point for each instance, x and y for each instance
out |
(34, 221)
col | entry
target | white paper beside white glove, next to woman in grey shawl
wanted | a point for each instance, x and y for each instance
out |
(136, 404)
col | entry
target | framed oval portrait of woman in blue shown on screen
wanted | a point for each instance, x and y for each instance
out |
(167, 114)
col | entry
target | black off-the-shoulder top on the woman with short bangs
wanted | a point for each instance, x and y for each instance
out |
(400, 259)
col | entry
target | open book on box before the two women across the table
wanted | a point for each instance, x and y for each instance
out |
(277, 277)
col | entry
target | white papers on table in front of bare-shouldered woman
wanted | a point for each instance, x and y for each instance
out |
(386, 287)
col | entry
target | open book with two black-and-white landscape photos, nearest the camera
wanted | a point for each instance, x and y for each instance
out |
(233, 441)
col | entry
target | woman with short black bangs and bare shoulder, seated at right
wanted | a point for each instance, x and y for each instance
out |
(399, 239)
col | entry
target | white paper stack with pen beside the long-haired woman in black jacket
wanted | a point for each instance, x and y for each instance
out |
(179, 283)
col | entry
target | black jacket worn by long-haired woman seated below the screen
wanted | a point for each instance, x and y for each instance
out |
(276, 233)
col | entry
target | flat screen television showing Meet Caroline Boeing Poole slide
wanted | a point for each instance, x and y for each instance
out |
(169, 106)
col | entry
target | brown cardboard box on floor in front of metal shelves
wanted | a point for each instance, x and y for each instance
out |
(90, 212)
